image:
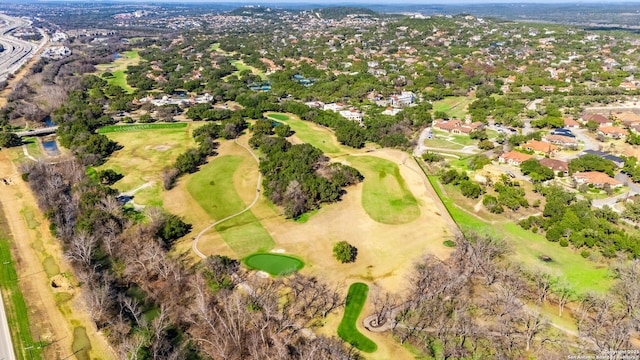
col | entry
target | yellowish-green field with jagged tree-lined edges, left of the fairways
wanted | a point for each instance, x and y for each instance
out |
(147, 150)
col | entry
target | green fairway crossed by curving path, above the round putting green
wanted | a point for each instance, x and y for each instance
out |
(213, 189)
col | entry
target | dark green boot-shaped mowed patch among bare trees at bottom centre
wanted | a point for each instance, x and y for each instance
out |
(347, 329)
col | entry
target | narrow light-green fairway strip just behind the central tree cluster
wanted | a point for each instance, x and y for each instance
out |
(323, 139)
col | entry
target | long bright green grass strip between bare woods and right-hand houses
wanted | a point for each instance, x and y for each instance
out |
(582, 274)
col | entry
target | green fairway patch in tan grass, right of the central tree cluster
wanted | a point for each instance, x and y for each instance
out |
(385, 195)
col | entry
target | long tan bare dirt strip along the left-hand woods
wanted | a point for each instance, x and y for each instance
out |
(32, 243)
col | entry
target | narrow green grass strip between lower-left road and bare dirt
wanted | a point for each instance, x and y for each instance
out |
(24, 345)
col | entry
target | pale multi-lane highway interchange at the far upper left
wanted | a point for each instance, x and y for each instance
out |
(16, 52)
